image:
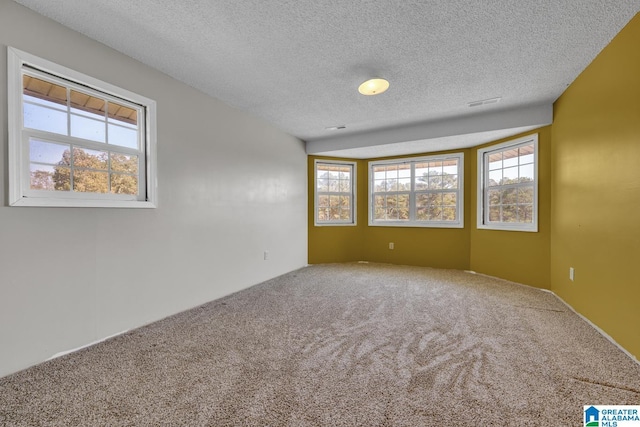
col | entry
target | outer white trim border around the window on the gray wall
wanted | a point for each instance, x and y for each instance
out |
(16, 59)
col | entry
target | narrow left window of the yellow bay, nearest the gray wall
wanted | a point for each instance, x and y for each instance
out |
(335, 193)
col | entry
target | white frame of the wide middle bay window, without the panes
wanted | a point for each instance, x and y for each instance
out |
(412, 222)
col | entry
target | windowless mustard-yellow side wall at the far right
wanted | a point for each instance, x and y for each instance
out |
(595, 190)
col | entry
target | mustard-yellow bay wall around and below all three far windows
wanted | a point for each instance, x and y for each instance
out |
(518, 256)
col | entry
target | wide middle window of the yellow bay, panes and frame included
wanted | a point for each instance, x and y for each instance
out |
(417, 192)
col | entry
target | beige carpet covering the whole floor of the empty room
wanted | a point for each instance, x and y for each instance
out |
(340, 345)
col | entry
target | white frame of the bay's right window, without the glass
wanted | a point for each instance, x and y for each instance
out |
(482, 209)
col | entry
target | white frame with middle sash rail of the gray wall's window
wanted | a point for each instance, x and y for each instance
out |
(20, 193)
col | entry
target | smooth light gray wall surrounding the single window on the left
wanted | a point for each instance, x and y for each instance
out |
(230, 187)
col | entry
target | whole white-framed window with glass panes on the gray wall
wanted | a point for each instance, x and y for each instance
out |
(75, 140)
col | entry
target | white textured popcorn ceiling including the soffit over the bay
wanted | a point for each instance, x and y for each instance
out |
(298, 63)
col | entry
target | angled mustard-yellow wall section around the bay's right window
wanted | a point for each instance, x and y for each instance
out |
(514, 255)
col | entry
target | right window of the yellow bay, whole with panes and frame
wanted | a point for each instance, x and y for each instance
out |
(508, 185)
